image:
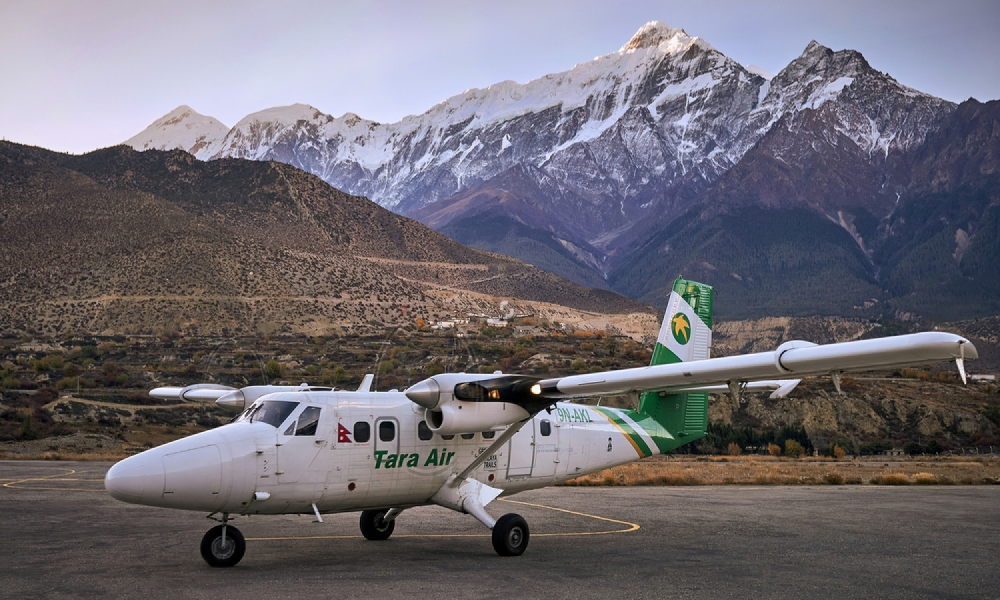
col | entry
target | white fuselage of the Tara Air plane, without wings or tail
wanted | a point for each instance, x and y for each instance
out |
(256, 468)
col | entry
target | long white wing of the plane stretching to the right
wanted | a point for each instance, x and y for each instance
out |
(790, 360)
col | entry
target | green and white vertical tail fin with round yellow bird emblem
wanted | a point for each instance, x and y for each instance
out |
(685, 335)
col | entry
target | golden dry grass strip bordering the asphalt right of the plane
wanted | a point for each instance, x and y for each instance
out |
(773, 471)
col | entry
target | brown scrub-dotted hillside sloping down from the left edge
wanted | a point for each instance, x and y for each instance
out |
(118, 241)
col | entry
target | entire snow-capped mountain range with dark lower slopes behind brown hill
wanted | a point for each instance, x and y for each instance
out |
(585, 171)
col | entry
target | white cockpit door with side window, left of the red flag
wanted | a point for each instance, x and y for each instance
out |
(299, 444)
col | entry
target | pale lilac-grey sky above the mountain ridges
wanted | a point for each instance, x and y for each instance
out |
(80, 75)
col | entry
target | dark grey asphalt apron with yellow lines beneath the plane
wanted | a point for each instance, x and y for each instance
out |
(62, 536)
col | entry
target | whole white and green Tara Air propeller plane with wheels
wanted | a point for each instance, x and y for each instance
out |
(460, 440)
